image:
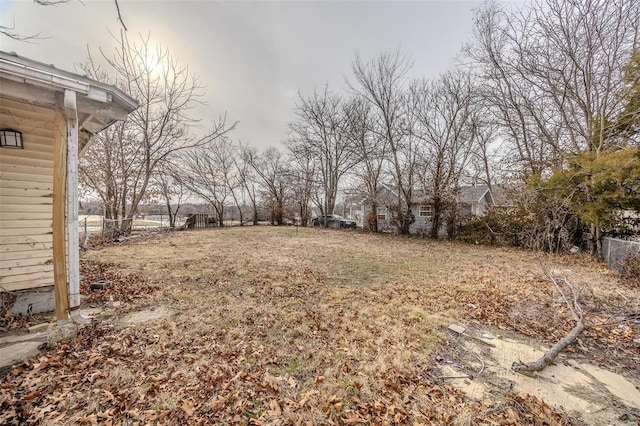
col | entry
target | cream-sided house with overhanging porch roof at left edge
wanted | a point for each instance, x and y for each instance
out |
(47, 119)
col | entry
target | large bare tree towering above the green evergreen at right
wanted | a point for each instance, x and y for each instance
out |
(554, 74)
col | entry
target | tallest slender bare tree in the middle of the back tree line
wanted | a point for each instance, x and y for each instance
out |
(382, 82)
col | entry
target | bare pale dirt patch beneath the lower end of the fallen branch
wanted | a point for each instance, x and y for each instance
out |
(586, 392)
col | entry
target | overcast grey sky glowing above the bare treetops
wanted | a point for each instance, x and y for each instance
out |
(252, 56)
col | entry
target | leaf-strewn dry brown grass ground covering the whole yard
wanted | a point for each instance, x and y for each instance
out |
(282, 326)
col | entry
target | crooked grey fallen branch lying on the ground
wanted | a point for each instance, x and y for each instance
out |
(571, 295)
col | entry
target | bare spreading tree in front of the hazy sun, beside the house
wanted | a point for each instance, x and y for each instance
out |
(152, 134)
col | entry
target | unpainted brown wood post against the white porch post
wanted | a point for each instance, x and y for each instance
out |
(59, 177)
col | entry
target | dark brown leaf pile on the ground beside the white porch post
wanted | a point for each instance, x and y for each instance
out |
(126, 285)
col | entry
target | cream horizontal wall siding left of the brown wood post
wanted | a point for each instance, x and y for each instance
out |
(26, 186)
